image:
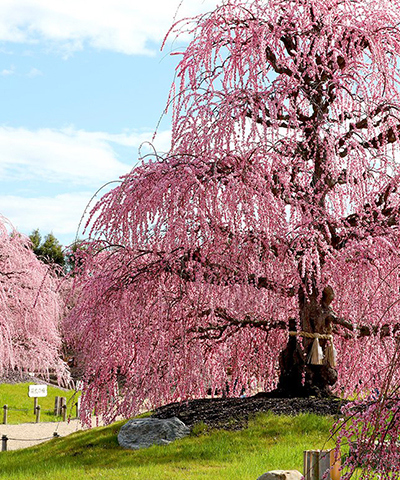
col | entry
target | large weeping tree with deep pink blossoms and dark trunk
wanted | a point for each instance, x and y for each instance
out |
(263, 250)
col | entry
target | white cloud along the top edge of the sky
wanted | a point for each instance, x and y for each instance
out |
(125, 26)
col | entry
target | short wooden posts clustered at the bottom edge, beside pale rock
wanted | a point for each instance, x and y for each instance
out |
(321, 464)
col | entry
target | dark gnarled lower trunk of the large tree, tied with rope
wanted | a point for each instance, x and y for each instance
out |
(297, 376)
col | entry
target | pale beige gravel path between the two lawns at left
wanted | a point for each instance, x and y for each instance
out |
(28, 434)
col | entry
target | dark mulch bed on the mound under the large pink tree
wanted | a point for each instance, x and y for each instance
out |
(233, 413)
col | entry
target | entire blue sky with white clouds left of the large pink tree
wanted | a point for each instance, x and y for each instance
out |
(82, 85)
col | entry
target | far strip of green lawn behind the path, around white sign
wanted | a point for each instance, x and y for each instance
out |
(21, 406)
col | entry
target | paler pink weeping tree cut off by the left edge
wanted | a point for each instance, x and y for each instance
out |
(30, 308)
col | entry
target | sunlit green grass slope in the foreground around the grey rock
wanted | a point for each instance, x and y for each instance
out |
(270, 442)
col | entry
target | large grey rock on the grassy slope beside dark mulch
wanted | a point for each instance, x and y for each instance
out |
(144, 432)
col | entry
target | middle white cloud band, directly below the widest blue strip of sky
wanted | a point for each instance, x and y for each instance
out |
(74, 156)
